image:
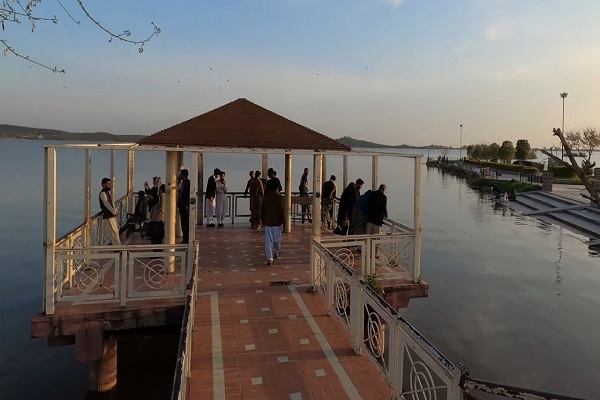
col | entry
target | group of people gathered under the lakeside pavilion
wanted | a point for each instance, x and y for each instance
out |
(357, 213)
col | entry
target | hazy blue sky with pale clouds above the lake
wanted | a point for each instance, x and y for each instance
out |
(390, 71)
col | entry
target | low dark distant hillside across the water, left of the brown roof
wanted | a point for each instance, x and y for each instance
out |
(23, 132)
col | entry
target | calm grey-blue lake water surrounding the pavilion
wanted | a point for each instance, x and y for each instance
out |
(513, 298)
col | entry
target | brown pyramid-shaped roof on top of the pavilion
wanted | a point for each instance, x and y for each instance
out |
(243, 124)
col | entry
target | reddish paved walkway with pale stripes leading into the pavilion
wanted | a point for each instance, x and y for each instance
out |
(257, 339)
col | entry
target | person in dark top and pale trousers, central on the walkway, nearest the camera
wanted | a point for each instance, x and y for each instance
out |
(272, 218)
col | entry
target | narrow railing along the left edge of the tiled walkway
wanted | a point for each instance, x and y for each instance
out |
(182, 367)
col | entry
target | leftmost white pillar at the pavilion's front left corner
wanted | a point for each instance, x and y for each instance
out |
(49, 227)
